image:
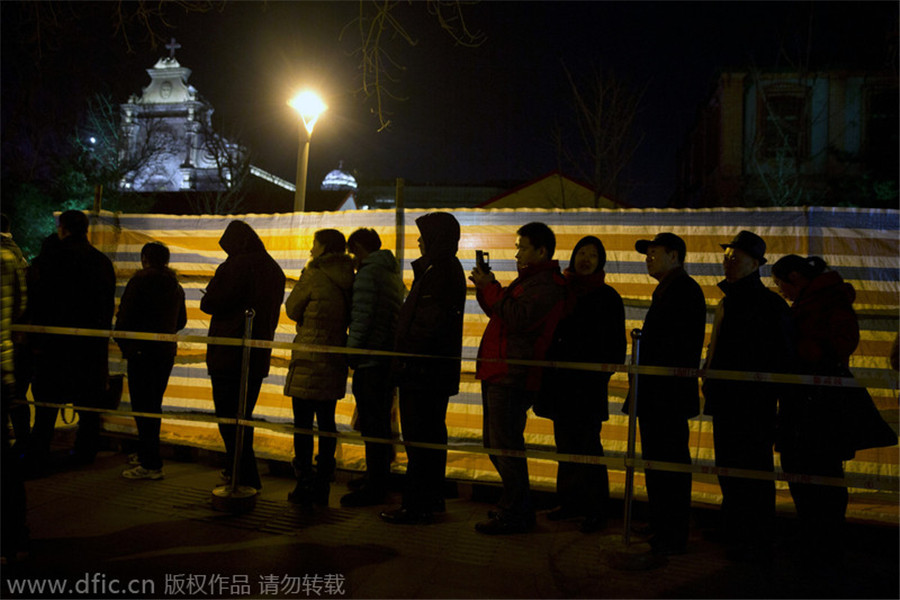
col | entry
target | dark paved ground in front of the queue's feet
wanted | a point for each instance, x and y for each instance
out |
(96, 533)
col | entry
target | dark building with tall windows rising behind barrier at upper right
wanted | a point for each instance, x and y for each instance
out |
(777, 138)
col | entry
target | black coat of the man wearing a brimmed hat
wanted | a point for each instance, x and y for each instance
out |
(752, 332)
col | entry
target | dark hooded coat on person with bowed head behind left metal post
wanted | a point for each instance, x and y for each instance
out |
(249, 278)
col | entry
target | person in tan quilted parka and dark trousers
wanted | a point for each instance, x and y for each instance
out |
(320, 304)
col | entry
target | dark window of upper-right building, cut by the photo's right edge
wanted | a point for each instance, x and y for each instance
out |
(880, 141)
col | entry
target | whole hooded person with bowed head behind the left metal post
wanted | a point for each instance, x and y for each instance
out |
(248, 279)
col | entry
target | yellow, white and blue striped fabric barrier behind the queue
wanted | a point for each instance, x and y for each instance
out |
(861, 243)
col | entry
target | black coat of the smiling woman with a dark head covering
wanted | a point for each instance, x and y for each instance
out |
(593, 331)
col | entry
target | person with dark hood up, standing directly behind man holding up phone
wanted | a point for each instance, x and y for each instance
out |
(430, 323)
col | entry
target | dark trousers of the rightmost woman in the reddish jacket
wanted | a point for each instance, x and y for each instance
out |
(821, 509)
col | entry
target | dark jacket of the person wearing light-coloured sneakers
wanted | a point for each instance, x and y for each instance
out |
(153, 302)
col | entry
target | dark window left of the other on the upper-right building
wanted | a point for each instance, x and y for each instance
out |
(784, 122)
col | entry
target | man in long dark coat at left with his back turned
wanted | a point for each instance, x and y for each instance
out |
(71, 284)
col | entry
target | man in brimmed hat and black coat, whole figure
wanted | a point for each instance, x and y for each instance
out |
(751, 332)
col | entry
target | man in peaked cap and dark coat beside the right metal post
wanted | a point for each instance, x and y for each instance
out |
(672, 336)
